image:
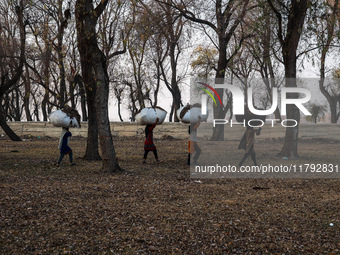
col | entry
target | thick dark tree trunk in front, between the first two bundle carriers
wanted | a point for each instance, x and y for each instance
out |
(94, 62)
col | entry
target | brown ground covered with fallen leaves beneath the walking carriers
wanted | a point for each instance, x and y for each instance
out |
(158, 208)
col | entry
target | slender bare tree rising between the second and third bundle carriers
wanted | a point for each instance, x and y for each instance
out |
(168, 25)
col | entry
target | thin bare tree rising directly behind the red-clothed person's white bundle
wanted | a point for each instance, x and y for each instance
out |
(141, 73)
